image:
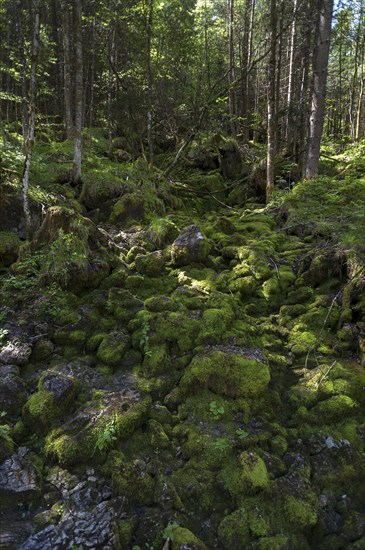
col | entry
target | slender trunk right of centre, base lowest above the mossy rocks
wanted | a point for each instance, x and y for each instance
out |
(271, 115)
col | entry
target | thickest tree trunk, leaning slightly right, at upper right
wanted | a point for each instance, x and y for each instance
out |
(317, 104)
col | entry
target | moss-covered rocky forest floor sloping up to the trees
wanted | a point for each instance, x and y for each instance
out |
(182, 366)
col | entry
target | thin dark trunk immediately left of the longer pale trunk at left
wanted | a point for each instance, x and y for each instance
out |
(67, 82)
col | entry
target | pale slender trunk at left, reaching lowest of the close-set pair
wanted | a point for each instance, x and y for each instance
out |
(76, 170)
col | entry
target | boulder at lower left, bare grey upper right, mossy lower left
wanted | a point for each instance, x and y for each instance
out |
(45, 408)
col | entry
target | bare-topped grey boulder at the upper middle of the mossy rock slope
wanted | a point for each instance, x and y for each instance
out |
(190, 247)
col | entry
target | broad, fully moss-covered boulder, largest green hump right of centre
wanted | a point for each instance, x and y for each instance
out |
(232, 374)
